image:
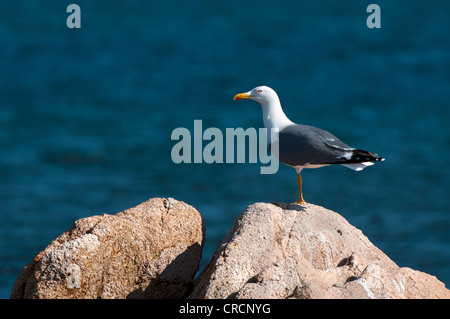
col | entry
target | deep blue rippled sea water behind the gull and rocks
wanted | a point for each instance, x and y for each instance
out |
(86, 114)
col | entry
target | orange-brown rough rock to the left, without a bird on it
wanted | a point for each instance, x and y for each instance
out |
(150, 251)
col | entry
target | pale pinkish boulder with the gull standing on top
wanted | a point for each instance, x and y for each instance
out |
(280, 251)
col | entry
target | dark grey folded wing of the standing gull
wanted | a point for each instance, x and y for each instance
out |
(303, 145)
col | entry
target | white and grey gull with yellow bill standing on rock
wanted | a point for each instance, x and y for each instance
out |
(303, 146)
